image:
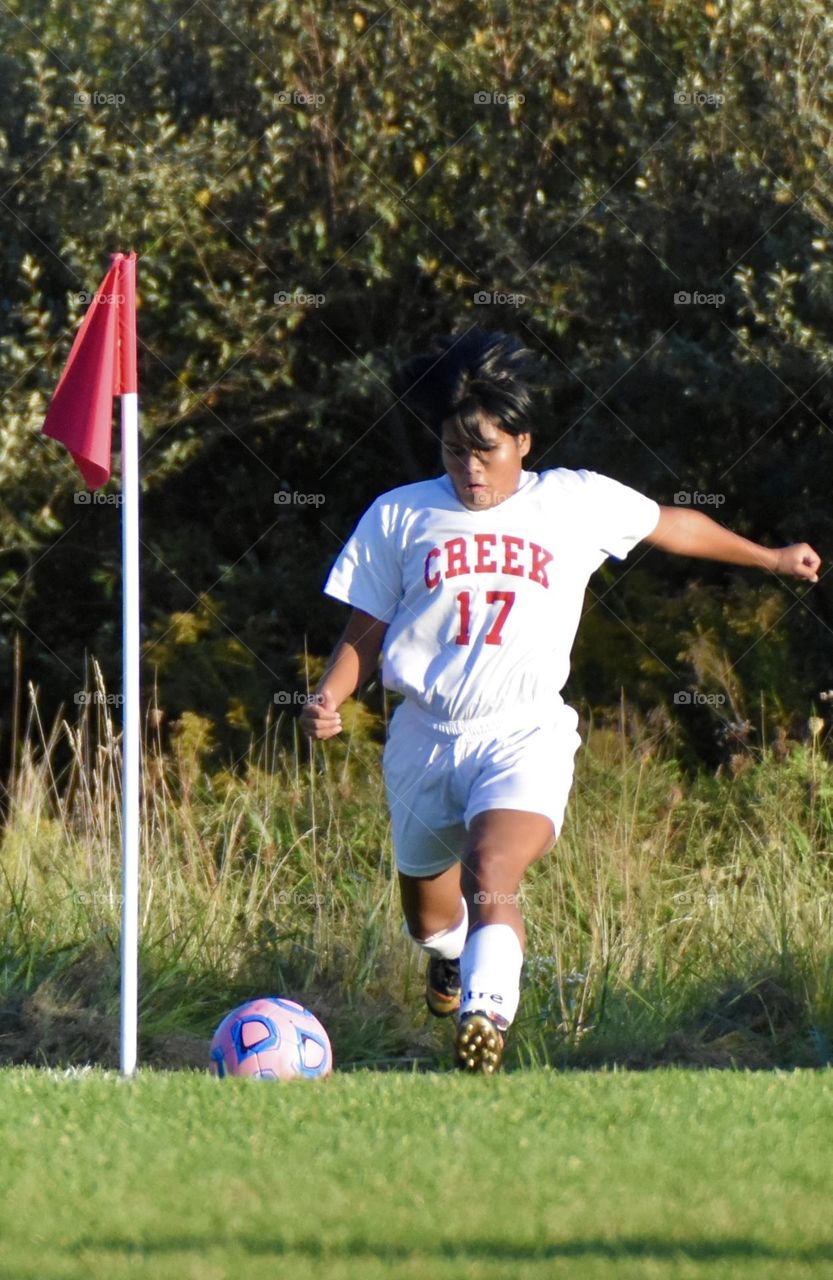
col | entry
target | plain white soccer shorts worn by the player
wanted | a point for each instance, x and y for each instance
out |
(441, 775)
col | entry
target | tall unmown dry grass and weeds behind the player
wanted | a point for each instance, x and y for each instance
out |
(679, 920)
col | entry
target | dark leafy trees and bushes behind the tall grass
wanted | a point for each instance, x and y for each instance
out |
(345, 158)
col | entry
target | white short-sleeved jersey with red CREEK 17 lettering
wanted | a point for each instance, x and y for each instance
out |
(483, 606)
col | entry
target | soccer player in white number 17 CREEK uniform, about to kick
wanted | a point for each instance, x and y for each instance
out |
(472, 586)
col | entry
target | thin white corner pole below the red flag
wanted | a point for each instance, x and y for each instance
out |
(131, 737)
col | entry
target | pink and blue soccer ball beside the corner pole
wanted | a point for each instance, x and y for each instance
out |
(272, 1040)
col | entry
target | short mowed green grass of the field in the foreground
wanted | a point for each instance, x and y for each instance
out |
(661, 1174)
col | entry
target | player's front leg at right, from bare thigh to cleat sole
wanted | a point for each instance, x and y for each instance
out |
(502, 847)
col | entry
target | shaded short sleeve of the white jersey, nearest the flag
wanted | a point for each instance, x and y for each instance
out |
(368, 574)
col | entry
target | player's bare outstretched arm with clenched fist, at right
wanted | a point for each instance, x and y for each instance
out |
(692, 533)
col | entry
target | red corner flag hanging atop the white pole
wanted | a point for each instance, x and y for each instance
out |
(102, 365)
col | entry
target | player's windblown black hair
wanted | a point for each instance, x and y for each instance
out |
(464, 377)
